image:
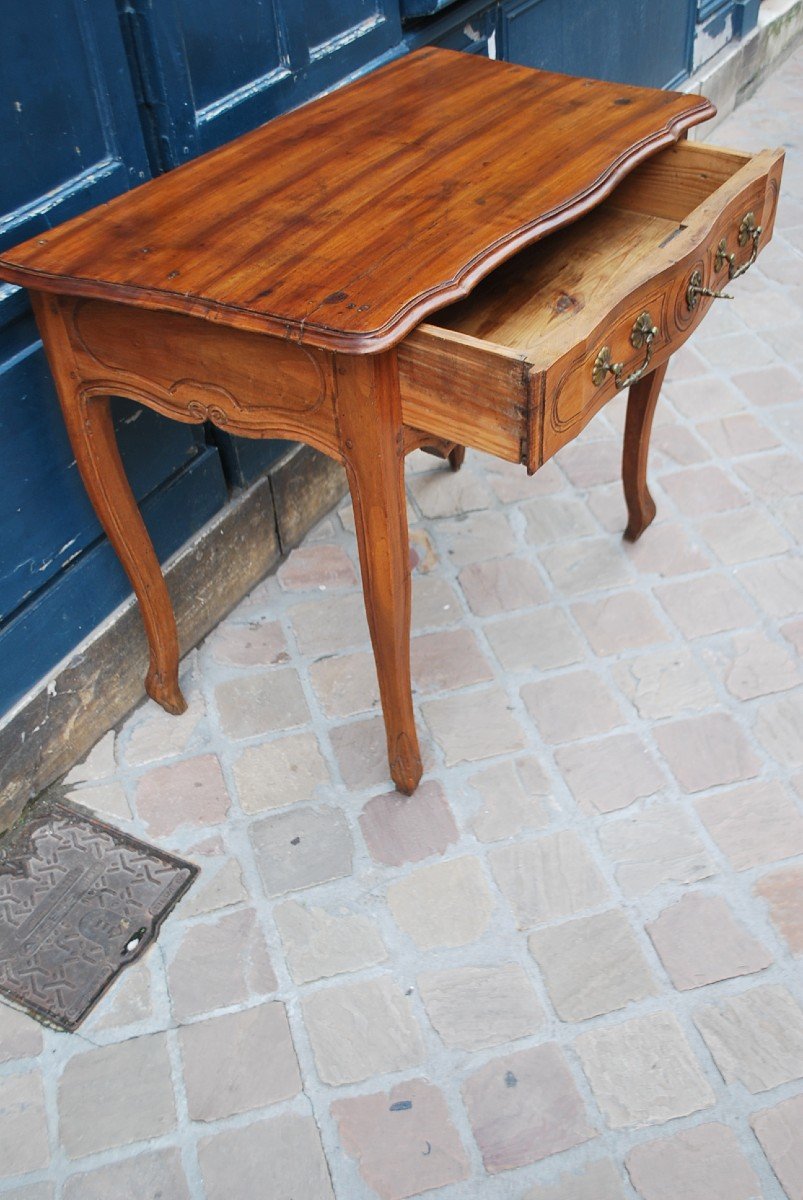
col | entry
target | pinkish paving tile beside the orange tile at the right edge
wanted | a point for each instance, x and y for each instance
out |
(700, 941)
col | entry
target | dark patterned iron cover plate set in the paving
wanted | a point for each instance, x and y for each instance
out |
(80, 901)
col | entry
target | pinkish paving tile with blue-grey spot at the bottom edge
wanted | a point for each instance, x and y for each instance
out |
(404, 1141)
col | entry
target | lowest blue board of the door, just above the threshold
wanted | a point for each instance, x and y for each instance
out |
(77, 601)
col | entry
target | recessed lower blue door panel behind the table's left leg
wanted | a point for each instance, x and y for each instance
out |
(45, 514)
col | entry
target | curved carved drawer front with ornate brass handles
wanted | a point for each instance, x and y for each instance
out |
(579, 382)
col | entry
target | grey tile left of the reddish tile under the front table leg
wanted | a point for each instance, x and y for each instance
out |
(302, 848)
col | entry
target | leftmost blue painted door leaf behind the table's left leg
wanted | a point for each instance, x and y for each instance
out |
(71, 139)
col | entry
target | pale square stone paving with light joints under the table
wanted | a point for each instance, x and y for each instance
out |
(570, 967)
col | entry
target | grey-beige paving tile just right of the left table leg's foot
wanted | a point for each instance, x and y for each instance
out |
(262, 704)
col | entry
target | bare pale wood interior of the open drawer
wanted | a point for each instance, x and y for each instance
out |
(556, 281)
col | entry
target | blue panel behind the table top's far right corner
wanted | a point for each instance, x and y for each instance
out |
(646, 43)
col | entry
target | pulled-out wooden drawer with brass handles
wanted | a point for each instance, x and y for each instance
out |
(544, 341)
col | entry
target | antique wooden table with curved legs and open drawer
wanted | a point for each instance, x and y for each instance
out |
(278, 287)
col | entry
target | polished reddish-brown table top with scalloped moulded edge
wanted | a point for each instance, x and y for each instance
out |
(344, 224)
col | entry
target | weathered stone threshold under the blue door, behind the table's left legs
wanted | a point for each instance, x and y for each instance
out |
(99, 685)
